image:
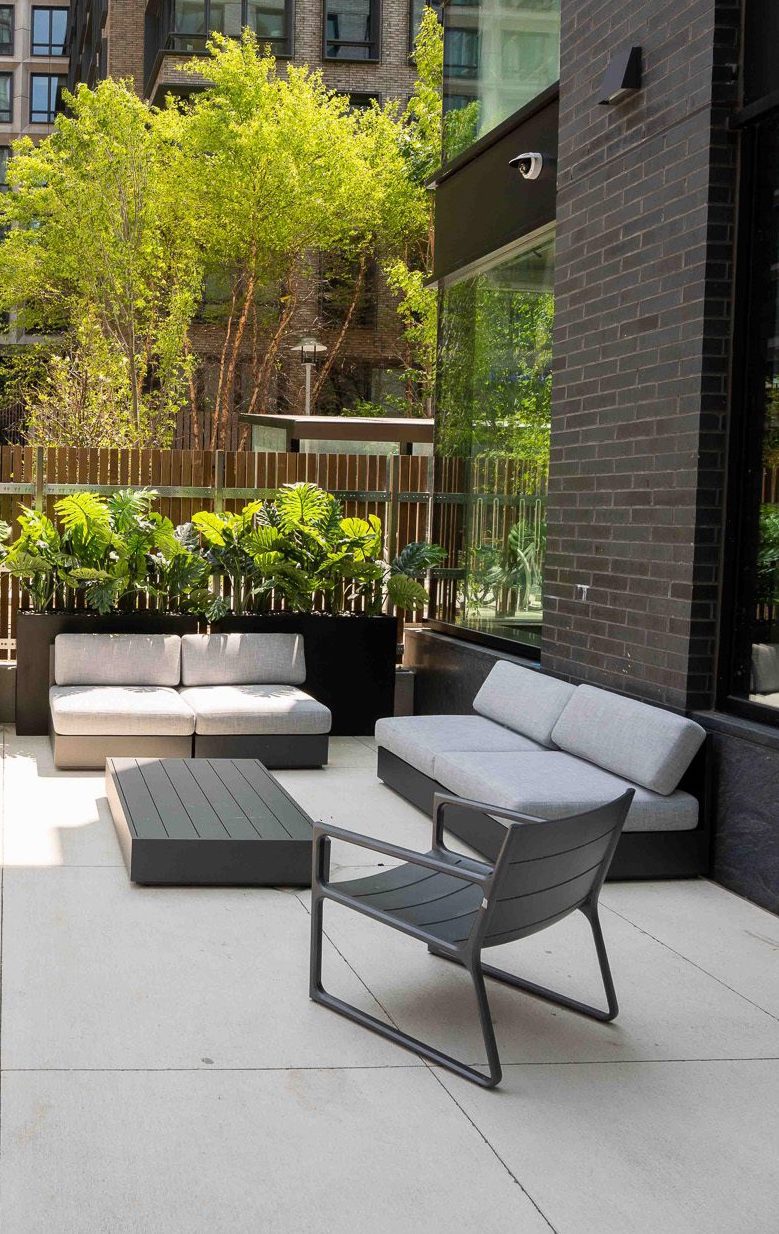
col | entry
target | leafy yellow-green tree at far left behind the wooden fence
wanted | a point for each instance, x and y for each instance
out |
(98, 246)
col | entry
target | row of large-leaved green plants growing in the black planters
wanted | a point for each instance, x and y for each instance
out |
(297, 550)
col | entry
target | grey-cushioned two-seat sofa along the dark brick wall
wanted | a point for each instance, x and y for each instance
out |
(543, 747)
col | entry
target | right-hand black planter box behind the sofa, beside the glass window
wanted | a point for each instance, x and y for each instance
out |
(350, 663)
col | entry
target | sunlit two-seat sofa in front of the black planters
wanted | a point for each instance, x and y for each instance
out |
(160, 695)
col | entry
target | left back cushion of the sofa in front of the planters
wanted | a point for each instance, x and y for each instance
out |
(118, 660)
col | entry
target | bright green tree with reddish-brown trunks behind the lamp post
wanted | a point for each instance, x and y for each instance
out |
(277, 168)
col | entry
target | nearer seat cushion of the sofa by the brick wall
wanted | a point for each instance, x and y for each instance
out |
(552, 785)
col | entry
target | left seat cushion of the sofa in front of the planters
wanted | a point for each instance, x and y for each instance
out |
(120, 711)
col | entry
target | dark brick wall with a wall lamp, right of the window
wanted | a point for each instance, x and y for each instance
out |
(644, 280)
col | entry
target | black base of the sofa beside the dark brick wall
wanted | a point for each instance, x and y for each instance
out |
(639, 856)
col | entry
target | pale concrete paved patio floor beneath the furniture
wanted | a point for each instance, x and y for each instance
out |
(165, 1073)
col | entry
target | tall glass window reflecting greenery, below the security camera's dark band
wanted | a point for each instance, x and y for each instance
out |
(493, 412)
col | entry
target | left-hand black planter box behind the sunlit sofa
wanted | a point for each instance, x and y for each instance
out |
(35, 635)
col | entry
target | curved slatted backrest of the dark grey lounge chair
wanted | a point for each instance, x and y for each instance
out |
(550, 869)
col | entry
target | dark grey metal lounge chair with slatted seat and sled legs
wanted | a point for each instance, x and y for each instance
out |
(545, 871)
